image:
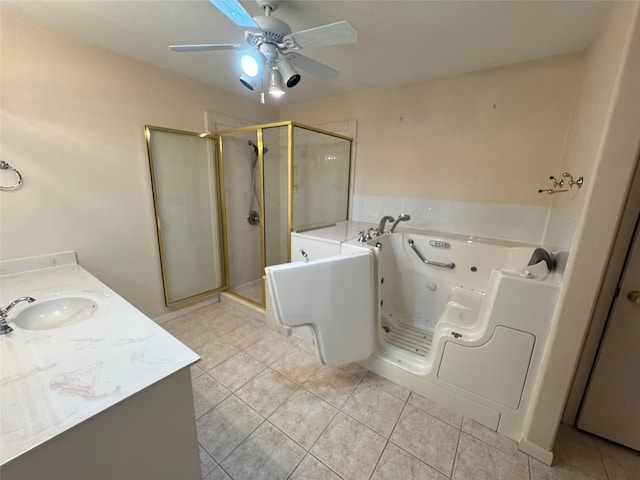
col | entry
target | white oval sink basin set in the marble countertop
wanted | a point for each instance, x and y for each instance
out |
(57, 312)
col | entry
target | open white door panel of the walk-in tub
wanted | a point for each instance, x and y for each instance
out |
(333, 296)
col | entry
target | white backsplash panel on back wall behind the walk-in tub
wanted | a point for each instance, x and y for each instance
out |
(520, 223)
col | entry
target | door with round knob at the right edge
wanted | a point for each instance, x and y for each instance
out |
(611, 408)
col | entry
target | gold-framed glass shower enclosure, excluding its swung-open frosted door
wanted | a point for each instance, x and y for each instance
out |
(277, 178)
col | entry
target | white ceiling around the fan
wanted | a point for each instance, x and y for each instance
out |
(399, 41)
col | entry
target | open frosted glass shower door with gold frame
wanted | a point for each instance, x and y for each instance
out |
(187, 203)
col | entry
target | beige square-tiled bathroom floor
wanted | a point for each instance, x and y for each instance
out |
(266, 409)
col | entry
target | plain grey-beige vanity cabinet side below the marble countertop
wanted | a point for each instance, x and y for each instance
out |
(150, 435)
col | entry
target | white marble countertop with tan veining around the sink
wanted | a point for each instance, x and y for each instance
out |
(52, 380)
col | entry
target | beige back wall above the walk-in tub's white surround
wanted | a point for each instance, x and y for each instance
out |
(490, 136)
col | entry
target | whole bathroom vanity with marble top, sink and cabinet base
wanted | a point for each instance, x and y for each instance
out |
(90, 387)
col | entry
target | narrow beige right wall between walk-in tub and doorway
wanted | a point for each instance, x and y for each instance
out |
(604, 147)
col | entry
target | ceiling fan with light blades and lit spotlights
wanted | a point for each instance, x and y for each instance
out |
(271, 46)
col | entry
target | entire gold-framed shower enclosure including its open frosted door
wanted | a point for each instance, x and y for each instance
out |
(236, 195)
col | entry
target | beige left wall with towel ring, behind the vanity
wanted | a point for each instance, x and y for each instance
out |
(72, 123)
